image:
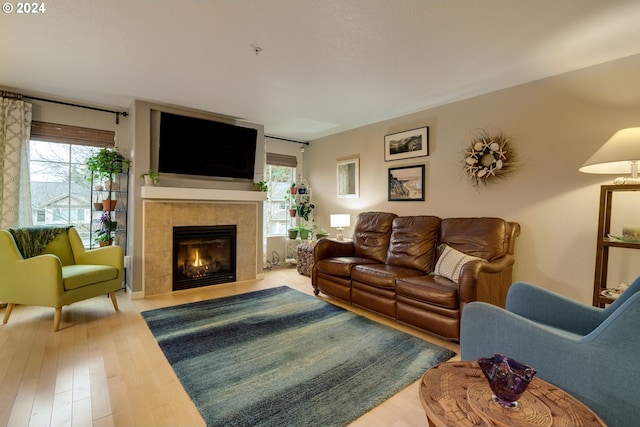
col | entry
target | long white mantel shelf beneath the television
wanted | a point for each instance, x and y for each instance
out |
(179, 193)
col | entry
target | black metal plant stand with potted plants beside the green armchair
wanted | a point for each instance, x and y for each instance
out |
(118, 191)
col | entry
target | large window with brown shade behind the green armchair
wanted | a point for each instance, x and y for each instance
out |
(60, 191)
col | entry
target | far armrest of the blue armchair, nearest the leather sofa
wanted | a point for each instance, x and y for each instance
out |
(553, 309)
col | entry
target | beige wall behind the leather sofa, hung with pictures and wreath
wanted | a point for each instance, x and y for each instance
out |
(556, 124)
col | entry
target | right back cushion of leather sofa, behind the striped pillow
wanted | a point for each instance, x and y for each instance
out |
(486, 238)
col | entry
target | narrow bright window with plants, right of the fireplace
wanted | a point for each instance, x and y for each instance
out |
(278, 179)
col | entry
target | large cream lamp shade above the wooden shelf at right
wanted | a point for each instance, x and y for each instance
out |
(618, 155)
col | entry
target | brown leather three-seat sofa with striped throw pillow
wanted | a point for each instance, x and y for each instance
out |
(395, 266)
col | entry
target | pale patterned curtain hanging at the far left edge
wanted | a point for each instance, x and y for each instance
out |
(15, 189)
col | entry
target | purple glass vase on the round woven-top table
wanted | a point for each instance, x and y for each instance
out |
(507, 378)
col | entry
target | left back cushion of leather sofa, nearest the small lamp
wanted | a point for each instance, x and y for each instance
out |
(371, 235)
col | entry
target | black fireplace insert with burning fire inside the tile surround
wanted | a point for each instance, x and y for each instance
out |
(203, 256)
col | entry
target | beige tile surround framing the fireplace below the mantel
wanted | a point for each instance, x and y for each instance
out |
(160, 216)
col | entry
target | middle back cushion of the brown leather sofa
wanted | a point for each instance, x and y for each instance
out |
(413, 242)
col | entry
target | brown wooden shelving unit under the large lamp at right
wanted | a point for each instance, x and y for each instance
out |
(604, 243)
